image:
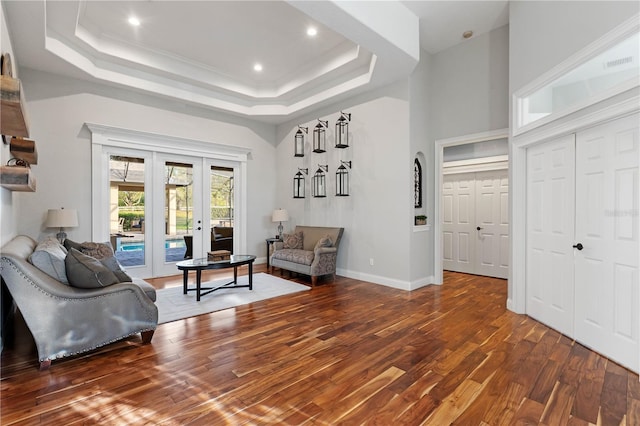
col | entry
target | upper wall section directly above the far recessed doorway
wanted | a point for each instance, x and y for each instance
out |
(469, 86)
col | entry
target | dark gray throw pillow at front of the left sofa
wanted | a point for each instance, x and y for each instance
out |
(86, 272)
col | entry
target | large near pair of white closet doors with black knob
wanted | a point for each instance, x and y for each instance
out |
(582, 237)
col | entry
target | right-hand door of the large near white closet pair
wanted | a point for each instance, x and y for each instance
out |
(607, 227)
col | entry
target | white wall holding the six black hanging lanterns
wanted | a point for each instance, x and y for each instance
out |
(376, 214)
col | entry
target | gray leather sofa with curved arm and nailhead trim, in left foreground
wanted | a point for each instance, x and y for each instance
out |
(67, 320)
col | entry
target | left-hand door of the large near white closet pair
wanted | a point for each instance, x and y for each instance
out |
(550, 232)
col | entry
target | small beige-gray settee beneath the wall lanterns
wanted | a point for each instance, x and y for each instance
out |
(309, 260)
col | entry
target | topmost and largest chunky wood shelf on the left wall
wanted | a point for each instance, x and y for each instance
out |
(13, 118)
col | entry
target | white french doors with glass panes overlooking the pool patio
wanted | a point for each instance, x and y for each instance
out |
(162, 207)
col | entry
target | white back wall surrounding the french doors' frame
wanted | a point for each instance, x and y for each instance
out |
(59, 107)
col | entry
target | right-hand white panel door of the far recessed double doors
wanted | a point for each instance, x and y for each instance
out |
(492, 219)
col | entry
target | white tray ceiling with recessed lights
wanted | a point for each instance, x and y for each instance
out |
(203, 52)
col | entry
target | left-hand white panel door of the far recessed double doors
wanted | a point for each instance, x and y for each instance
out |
(458, 227)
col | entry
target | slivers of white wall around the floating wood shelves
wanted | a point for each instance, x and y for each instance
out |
(8, 207)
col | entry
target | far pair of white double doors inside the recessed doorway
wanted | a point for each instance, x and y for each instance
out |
(476, 223)
